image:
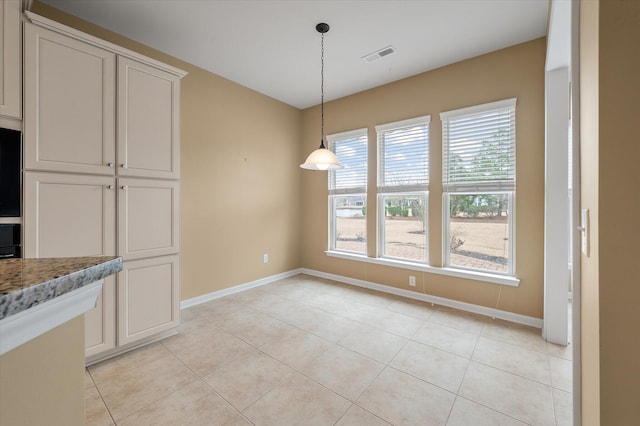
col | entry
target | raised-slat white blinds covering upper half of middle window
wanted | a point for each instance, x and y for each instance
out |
(403, 155)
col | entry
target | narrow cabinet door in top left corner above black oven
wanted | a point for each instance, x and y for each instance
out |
(10, 63)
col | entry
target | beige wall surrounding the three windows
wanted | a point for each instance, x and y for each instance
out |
(513, 72)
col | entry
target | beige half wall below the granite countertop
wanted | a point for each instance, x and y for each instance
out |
(42, 381)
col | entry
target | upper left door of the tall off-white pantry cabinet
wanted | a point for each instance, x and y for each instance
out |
(69, 111)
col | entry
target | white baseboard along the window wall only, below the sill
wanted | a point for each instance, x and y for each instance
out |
(468, 307)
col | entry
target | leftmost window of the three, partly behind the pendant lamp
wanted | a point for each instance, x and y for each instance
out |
(348, 193)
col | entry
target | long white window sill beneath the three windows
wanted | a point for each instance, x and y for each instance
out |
(452, 272)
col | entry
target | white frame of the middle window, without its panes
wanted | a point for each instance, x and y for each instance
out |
(400, 190)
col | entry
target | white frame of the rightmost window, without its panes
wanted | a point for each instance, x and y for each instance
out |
(478, 188)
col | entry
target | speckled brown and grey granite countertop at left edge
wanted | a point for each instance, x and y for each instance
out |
(28, 282)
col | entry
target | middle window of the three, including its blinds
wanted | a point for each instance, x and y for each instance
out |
(403, 185)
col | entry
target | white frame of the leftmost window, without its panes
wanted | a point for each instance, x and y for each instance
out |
(334, 193)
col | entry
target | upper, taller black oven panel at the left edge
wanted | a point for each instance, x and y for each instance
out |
(10, 172)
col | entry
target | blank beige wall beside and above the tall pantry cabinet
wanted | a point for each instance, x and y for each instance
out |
(240, 179)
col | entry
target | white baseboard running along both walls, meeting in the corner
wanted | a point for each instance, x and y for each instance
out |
(468, 307)
